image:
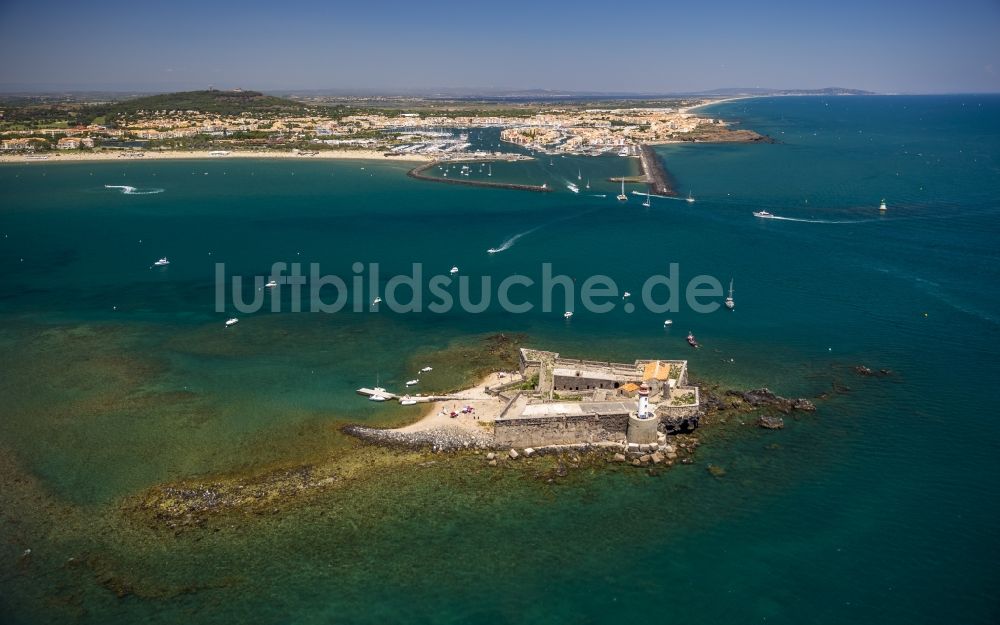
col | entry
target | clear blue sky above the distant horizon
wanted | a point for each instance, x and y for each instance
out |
(918, 46)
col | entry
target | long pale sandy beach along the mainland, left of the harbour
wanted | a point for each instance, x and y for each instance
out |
(89, 157)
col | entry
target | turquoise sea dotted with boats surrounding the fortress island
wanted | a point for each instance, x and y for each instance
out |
(879, 508)
